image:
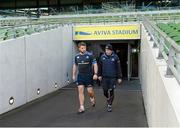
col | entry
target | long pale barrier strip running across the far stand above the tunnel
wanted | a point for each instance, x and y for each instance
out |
(95, 18)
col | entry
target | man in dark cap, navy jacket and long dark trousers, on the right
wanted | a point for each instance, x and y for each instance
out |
(109, 71)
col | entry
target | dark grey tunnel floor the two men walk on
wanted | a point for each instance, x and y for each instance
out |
(60, 109)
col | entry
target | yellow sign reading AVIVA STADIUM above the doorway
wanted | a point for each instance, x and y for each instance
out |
(117, 32)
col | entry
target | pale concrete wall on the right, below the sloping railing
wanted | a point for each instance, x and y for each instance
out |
(161, 94)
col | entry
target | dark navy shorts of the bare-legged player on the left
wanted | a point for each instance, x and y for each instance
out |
(85, 79)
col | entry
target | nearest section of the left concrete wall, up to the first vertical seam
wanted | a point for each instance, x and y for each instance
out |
(12, 74)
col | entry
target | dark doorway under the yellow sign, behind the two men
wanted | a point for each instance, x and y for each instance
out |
(127, 51)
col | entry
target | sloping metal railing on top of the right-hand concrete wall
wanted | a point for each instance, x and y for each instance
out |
(168, 48)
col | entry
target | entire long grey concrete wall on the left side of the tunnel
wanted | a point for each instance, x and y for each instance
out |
(33, 62)
